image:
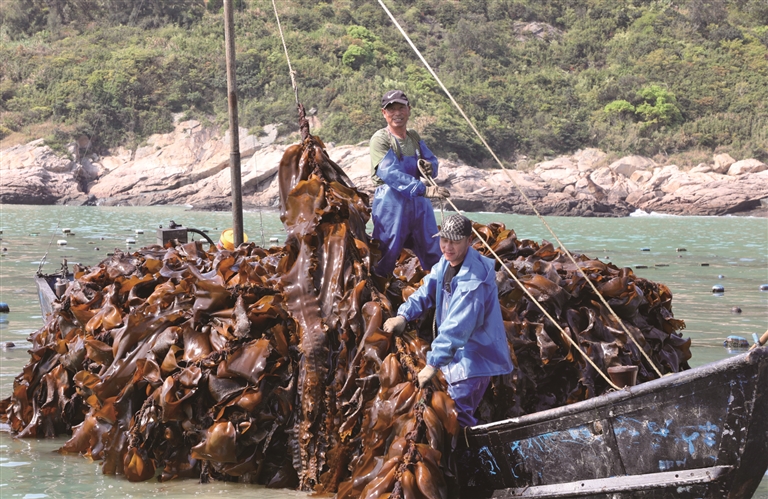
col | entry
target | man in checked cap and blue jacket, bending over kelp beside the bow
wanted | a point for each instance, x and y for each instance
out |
(471, 344)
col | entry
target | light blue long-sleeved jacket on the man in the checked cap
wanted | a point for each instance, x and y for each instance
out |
(471, 340)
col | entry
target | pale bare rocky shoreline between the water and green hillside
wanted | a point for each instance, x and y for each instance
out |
(190, 166)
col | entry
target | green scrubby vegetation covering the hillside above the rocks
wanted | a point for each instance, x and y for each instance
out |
(538, 78)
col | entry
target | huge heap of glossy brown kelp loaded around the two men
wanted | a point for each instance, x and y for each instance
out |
(269, 366)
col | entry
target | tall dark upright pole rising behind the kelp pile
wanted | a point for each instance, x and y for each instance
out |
(234, 155)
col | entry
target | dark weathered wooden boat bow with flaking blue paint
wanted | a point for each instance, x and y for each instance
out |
(700, 433)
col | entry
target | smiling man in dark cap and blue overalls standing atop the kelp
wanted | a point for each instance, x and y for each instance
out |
(402, 216)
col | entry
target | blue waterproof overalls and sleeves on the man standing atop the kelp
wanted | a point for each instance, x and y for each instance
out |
(402, 216)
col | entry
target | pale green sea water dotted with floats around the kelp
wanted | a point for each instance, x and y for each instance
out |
(735, 248)
